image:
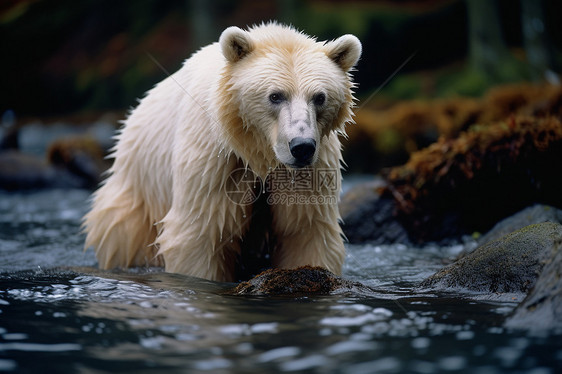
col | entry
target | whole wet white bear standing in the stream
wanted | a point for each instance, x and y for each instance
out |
(269, 101)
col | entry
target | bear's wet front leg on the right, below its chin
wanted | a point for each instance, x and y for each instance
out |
(306, 221)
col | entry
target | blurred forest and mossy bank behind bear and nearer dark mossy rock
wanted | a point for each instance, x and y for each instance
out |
(71, 70)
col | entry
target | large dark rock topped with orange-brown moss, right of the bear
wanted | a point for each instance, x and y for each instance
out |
(504, 167)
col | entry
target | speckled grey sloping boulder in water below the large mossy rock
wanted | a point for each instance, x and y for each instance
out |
(510, 264)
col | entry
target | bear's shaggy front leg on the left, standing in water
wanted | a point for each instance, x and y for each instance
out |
(201, 234)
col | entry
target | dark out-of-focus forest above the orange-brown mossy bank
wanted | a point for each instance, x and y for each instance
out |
(67, 56)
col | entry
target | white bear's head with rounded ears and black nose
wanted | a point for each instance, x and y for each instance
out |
(283, 93)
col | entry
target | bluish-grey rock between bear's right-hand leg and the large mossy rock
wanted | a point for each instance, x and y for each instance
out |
(369, 218)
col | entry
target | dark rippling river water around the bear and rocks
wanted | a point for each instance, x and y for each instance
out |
(78, 319)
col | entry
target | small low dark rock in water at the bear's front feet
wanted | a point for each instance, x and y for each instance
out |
(306, 280)
